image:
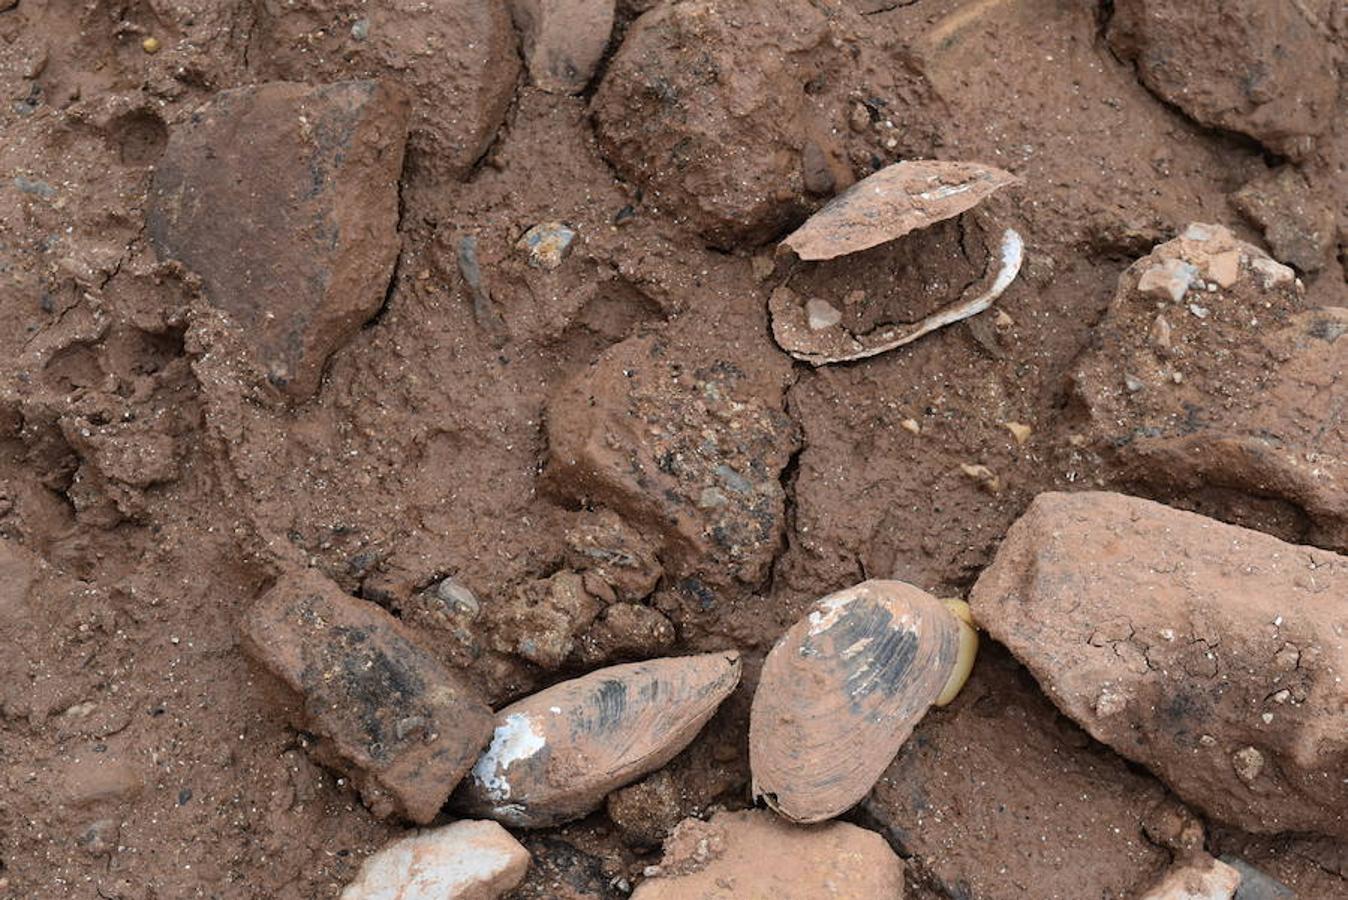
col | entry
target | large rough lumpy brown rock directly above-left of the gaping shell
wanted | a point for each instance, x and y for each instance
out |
(733, 115)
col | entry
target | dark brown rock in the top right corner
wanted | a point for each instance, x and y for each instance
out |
(1262, 69)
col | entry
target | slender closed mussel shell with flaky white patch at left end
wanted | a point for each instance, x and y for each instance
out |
(556, 755)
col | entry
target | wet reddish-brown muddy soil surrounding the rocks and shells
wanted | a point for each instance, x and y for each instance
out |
(152, 486)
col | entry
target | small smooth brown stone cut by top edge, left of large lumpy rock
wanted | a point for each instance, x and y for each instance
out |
(564, 41)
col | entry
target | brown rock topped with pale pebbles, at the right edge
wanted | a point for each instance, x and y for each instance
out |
(1210, 379)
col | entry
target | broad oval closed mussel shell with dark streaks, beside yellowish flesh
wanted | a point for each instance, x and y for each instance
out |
(842, 692)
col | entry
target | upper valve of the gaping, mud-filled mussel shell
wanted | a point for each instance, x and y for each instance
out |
(892, 203)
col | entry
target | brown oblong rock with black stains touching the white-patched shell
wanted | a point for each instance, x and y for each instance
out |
(385, 709)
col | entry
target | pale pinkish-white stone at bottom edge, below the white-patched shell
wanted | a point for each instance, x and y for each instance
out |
(464, 860)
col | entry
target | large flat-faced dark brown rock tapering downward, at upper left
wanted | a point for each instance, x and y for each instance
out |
(284, 199)
